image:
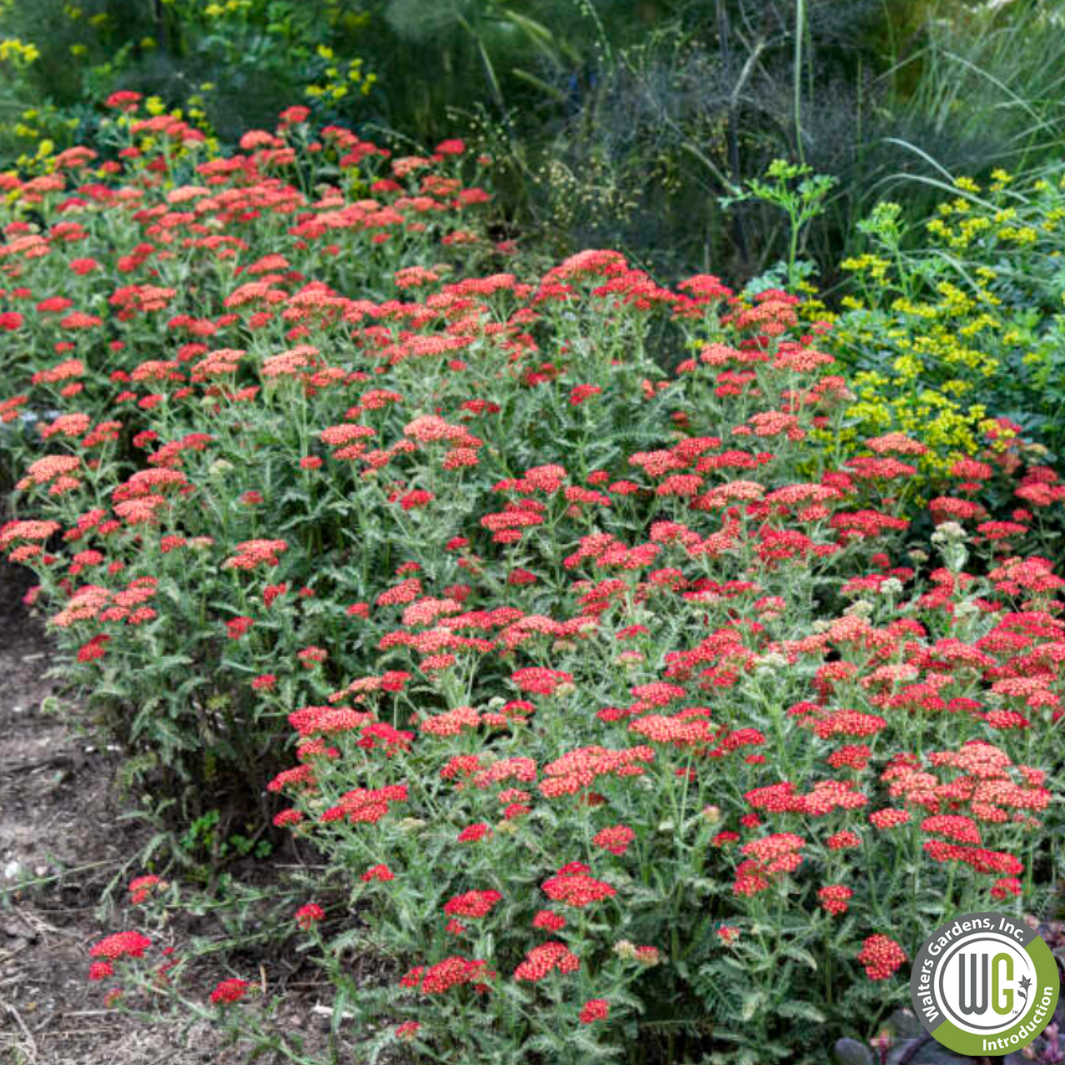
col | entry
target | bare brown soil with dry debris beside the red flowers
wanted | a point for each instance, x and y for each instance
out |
(63, 845)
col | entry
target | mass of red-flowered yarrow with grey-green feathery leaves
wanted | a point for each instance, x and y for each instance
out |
(634, 716)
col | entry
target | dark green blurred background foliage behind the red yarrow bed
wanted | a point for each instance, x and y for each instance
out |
(610, 120)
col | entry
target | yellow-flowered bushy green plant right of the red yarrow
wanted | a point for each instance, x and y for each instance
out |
(965, 326)
